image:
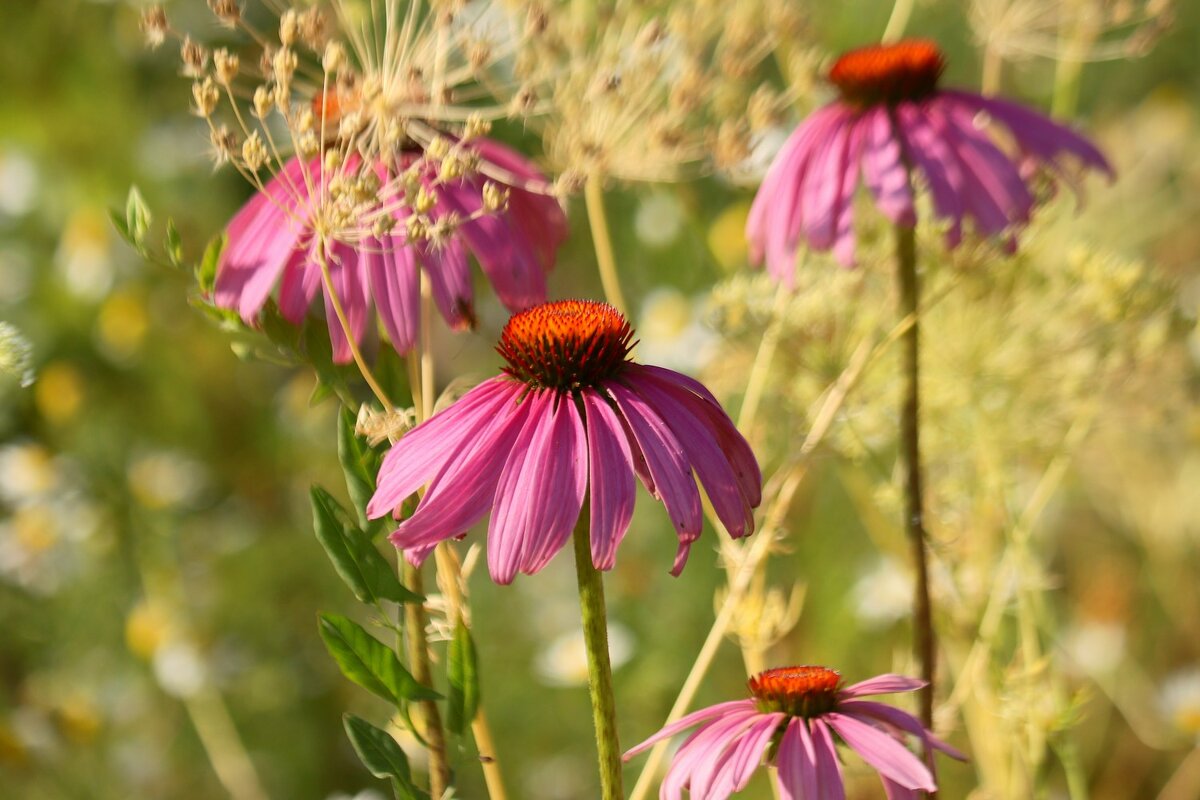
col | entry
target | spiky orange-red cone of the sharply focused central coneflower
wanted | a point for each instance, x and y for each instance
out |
(566, 345)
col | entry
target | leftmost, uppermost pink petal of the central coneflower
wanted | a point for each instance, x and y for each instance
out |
(427, 449)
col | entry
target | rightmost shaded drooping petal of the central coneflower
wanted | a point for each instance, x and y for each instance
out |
(679, 408)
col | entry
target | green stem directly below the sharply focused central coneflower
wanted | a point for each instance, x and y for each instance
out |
(596, 637)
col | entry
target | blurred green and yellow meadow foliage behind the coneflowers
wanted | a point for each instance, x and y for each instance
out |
(160, 581)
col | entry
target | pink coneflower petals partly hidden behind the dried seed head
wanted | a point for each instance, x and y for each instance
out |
(377, 227)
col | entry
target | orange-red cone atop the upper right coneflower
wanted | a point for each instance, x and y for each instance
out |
(889, 74)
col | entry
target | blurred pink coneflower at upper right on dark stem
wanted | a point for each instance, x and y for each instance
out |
(898, 130)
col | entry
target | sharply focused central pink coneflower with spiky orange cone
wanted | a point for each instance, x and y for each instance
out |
(571, 420)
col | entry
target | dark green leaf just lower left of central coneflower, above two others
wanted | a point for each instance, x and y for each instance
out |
(355, 556)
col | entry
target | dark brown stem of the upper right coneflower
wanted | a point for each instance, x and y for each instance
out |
(910, 460)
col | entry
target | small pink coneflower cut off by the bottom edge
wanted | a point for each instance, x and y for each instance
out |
(796, 718)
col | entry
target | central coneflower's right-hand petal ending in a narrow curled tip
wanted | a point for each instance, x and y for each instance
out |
(667, 464)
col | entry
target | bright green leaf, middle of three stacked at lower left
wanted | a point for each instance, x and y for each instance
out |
(369, 663)
